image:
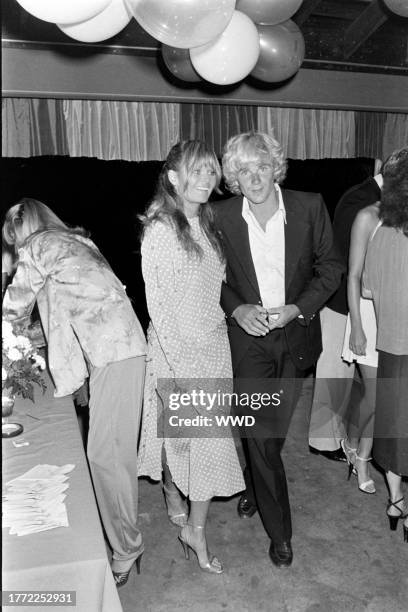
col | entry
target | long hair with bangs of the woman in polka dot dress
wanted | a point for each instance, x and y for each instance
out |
(167, 204)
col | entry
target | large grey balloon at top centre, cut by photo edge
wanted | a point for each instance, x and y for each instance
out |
(183, 23)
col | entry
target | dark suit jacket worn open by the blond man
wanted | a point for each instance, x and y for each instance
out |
(312, 271)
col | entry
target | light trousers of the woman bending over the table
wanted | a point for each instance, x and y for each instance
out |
(115, 404)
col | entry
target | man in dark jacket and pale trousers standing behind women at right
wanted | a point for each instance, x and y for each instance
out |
(334, 377)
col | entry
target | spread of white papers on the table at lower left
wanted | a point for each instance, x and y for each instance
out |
(34, 501)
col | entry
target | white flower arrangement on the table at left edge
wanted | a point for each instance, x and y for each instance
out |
(21, 363)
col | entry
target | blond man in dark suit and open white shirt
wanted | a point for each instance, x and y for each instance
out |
(281, 269)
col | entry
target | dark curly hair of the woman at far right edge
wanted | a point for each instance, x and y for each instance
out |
(394, 196)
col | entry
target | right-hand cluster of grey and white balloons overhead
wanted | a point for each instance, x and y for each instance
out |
(258, 39)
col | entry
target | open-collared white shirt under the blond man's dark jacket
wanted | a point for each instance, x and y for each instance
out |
(268, 252)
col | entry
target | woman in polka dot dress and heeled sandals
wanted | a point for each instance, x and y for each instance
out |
(183, 269)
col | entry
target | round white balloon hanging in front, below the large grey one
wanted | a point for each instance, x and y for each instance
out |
(230, 57)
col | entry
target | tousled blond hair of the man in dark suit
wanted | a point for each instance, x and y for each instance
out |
(247, 147)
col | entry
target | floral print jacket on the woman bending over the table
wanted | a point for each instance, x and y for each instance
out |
(85, 312)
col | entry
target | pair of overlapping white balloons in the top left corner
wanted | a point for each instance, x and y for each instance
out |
(83, 20)
